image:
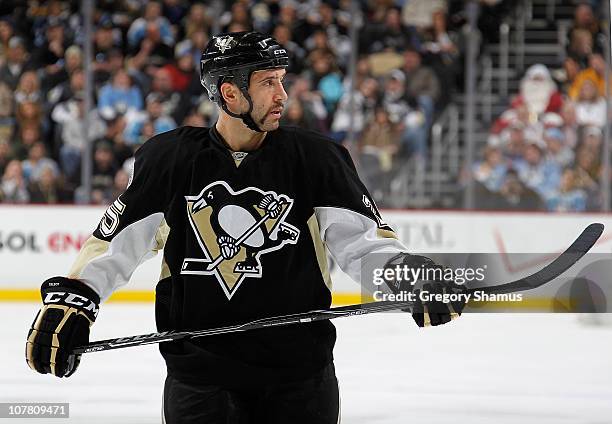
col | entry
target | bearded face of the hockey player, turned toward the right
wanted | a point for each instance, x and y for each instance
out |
(269, 97)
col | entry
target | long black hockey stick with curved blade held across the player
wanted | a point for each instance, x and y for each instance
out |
(564, 261)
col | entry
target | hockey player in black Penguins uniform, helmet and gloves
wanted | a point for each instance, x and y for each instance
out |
(243, 211)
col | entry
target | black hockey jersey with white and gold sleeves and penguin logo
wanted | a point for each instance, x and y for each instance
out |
(244, 237)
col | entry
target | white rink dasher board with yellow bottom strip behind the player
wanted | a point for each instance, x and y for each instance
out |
(39, 241)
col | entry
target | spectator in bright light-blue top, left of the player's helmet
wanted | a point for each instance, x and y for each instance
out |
(121, 95)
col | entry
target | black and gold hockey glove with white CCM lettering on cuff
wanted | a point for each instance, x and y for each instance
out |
(69, 309)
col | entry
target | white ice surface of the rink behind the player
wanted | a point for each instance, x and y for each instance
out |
(494, 368)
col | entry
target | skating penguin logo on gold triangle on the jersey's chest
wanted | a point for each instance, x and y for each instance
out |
(234, 228)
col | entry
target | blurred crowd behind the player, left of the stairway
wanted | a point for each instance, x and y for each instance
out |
(146, 81)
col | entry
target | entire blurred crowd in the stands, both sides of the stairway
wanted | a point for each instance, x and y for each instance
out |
(543, 152)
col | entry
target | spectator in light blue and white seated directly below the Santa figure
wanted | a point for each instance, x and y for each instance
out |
(536, 171)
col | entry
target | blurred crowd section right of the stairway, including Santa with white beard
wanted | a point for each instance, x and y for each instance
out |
(544, 152)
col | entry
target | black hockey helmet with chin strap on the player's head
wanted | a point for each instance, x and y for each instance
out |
(233, 57)
